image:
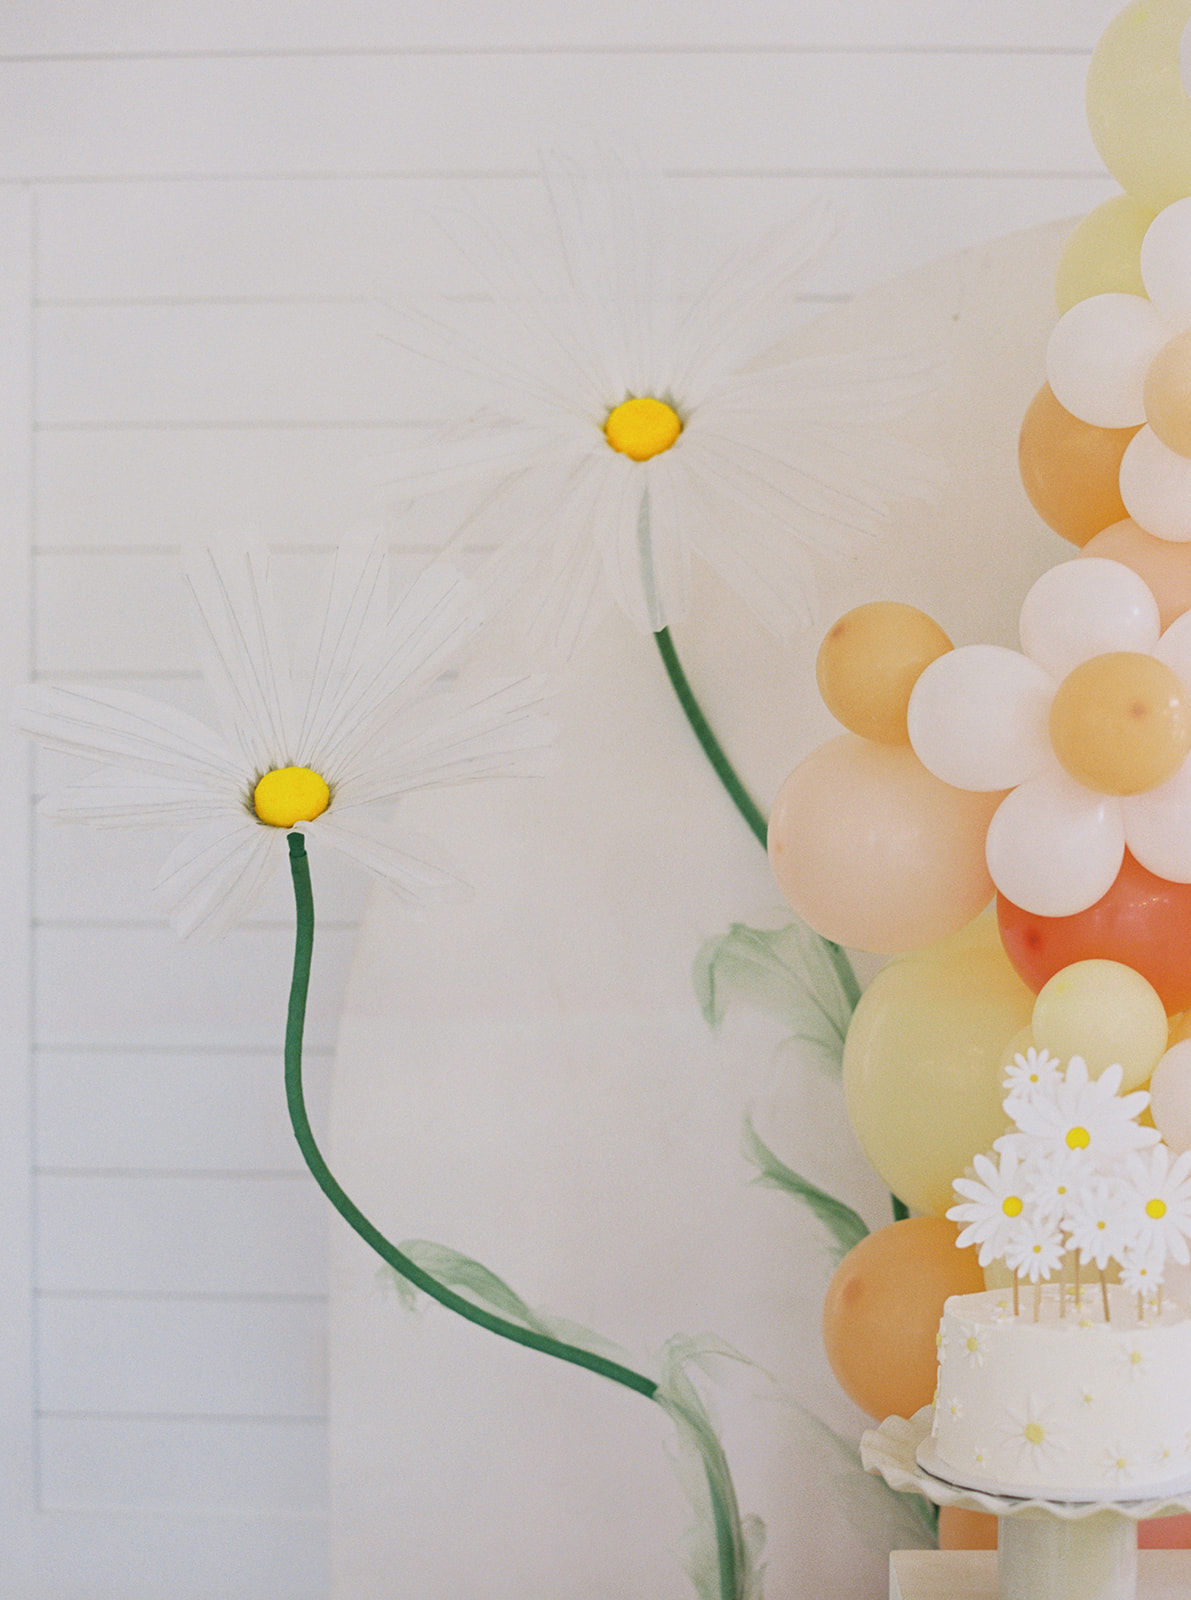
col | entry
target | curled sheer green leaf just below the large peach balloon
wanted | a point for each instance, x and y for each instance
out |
(785, 972)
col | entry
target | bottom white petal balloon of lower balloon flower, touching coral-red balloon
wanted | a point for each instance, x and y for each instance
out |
(1054, 847)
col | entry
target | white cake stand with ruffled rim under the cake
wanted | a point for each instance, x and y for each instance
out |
(1046, 1550)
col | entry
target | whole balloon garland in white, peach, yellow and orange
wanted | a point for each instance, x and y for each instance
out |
(1013, 828)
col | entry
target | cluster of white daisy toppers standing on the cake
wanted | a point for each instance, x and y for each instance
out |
(1080, 1178)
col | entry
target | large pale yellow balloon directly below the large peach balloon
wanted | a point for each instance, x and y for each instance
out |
(923, 1063)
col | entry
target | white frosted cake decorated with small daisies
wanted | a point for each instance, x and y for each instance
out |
(1069, 1407)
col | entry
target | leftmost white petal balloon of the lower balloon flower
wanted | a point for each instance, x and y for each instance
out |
(979, 718)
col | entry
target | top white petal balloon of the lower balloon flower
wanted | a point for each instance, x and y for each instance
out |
(1085, 609)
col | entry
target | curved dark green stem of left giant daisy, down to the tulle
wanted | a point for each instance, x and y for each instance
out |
(348, 1210)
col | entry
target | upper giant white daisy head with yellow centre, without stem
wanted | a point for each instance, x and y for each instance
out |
(622, 428)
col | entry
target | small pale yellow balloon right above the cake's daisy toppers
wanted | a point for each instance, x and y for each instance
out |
(1105, 1014)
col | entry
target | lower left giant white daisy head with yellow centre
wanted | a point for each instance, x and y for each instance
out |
(323, 748)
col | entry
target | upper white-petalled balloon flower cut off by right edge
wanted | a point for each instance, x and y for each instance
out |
(1120, 361)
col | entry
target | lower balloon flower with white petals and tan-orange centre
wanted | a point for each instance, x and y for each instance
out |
(1089, 730)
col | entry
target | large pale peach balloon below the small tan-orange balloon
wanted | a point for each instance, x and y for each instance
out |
(875, 852)
